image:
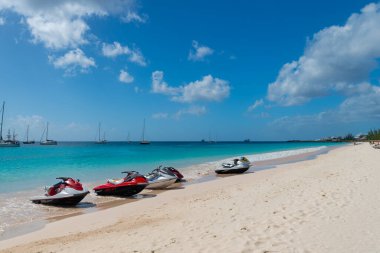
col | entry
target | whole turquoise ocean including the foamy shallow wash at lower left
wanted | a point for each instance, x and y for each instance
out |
(24, 171)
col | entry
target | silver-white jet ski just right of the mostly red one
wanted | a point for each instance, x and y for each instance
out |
(160, 178)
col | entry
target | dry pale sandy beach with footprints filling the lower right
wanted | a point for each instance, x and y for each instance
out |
(328, 204)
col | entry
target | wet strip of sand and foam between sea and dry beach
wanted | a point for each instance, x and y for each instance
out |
(195, 176)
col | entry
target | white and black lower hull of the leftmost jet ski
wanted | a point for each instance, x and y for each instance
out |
(71, 200)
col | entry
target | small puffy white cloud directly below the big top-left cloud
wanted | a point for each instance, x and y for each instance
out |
(72, 60)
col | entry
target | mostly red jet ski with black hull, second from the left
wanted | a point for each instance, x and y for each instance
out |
(131, 184)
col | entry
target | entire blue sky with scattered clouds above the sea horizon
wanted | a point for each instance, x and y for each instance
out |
(225, 70)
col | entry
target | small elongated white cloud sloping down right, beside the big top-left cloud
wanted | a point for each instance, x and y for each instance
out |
(116, 49)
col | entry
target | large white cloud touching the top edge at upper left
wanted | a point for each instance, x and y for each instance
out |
(62, 24)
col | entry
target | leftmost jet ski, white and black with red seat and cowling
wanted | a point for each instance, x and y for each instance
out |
(66, 192)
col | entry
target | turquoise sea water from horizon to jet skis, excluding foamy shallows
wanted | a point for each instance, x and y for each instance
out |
(32, 166)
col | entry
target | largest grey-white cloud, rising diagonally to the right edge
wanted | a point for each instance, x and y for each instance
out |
(336, 59)
